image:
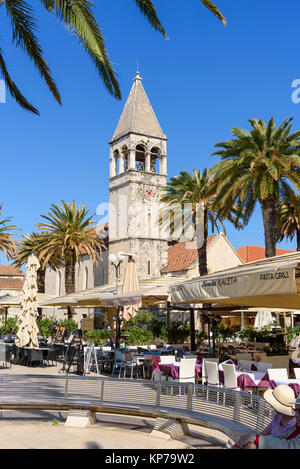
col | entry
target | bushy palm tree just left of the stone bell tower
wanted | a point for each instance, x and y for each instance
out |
(70, 233)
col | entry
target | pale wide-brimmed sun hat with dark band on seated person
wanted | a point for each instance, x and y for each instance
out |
(282, 399)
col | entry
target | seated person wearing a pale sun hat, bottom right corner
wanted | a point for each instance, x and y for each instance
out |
(283, 432)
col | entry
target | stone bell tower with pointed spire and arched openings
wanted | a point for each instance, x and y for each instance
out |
(138, 172)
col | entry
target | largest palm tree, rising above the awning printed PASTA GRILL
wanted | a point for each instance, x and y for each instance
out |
(253, 167)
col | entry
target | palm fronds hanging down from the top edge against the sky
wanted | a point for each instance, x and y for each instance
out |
(77, 16)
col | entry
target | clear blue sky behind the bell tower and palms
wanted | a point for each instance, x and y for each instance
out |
(201, 82)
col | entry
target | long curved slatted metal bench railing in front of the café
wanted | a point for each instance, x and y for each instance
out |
(219, 408)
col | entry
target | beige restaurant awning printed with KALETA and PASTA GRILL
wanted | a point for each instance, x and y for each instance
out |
(271, 283)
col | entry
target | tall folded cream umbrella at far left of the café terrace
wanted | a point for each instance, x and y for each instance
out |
(27, 334)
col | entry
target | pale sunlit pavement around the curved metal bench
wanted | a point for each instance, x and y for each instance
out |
(46, 430)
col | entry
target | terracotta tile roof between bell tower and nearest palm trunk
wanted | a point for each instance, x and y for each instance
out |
(182, 255)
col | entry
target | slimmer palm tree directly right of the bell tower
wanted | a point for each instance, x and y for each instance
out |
(190, 191)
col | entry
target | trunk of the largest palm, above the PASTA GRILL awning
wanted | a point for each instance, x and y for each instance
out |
(269, 214)
